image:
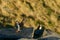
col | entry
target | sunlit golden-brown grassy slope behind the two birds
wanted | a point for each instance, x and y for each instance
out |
(45, 12)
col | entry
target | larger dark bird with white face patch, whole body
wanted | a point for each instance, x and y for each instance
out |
(38, 32)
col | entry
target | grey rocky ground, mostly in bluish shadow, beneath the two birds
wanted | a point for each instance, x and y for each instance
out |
(26, 34)
